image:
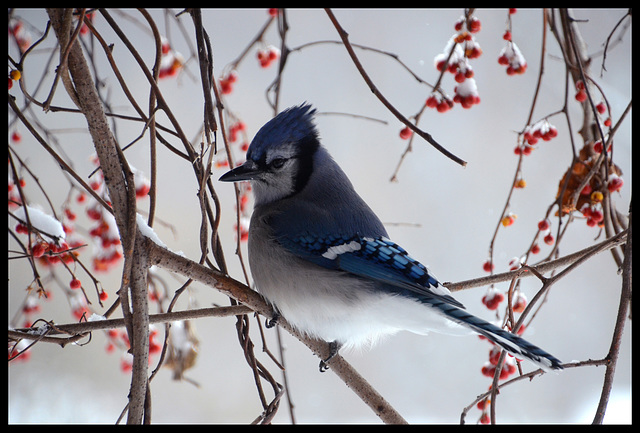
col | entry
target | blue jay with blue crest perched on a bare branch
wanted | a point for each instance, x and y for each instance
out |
(323, 259)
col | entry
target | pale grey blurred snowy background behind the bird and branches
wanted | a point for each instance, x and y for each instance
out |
(443, 214)
